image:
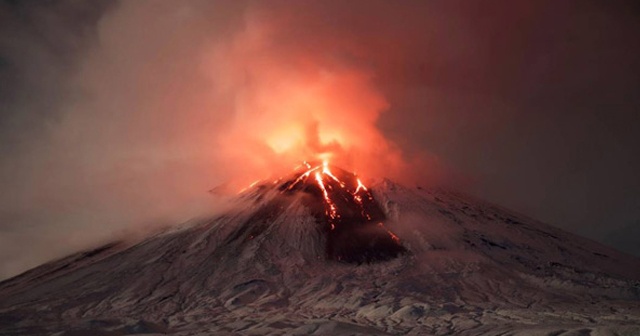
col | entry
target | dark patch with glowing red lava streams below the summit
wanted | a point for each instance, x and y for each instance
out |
(351, 218)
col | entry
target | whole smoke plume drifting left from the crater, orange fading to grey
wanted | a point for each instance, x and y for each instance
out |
(165, 101)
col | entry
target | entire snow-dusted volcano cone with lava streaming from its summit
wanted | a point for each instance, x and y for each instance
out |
(319, 253)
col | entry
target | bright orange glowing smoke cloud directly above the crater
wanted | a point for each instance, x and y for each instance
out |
(290, 105)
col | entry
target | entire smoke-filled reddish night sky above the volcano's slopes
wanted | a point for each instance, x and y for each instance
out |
(117, 117)
